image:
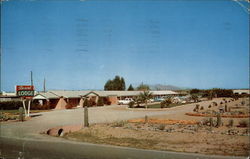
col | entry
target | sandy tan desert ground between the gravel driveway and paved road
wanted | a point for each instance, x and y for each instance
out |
(174, 132)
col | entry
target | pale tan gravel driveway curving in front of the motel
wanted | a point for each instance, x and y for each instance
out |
(46, 120)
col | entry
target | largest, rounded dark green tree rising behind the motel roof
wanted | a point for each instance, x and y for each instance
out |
(118, 83)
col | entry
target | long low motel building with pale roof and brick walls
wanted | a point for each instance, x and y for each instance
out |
(63, 99)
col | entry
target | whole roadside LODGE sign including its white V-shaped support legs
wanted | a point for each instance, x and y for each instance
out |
(26, 92)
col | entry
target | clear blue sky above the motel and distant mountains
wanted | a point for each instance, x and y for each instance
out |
(80, 45)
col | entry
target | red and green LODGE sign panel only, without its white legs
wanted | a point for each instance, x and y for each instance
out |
(25, 91)
